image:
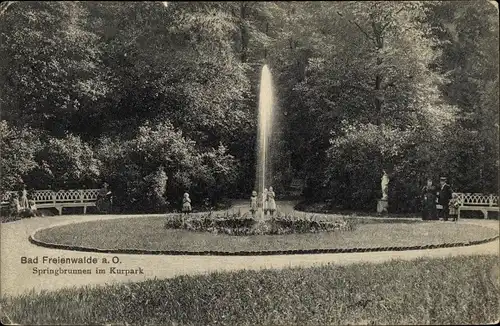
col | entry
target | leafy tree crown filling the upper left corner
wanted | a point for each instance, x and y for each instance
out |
(50, 65)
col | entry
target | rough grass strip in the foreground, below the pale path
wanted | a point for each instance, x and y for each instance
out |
(454, 290)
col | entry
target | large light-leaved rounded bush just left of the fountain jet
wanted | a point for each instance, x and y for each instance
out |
(150, 172)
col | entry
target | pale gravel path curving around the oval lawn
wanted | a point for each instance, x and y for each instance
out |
(17, 277)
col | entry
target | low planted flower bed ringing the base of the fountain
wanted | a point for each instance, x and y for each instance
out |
(246, 225)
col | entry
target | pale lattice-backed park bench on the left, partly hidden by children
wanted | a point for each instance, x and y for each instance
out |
(59, 199)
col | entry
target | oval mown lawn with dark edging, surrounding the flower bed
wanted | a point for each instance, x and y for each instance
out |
(148, 232)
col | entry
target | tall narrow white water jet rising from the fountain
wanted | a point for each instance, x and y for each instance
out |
(265, 126)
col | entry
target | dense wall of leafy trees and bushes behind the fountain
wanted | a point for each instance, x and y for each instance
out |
(160, 99)
